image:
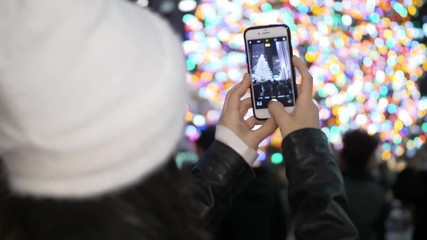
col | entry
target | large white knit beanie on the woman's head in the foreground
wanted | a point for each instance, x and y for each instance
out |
(92, 95)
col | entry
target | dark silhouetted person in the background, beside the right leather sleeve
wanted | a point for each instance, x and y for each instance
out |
(366, 197)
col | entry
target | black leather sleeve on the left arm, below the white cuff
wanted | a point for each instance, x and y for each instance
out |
(216, 180)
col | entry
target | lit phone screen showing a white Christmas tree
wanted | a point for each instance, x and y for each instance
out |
(271, 71)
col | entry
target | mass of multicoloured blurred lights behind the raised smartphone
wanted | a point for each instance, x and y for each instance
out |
(365, 58)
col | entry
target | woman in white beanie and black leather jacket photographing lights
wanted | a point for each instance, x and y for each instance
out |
(92, 105)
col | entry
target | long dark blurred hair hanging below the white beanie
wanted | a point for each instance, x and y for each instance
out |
(158, 208)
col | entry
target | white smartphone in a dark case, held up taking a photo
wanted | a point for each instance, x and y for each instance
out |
(269, 59)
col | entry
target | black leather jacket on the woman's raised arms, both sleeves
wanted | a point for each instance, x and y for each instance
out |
(316, 189)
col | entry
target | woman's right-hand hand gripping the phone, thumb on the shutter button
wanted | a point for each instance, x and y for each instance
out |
(306, 112)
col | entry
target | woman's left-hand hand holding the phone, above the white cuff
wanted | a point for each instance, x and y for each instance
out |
(233, 112)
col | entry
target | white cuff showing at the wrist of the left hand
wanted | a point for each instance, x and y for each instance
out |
(229, 138)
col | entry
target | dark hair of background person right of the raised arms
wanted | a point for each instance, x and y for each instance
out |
(358, 146)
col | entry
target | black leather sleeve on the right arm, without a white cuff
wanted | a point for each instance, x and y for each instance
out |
(316, 188)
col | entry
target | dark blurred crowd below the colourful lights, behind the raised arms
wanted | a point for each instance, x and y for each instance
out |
(384, 204)
